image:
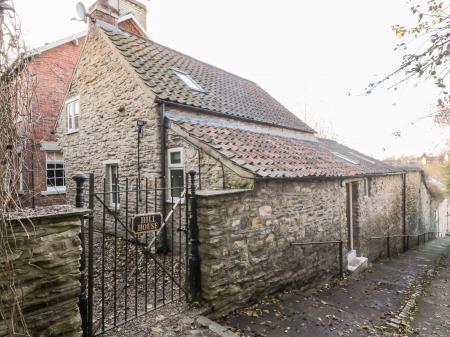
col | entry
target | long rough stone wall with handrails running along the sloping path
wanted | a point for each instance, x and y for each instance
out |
(246, 237)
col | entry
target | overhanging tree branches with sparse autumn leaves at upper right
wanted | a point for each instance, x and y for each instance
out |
(426, 48)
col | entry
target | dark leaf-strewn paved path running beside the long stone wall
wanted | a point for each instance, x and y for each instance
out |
(355, 307)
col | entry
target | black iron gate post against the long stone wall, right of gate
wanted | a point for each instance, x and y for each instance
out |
(194, 258)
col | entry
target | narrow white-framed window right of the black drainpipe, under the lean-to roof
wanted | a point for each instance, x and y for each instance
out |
(175, 164)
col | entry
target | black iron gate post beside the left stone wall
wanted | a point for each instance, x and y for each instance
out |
(80, 179)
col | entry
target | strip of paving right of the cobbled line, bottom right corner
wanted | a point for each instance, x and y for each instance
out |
(433, 313)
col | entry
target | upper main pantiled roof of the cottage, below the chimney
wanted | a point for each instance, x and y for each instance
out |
(226, 94)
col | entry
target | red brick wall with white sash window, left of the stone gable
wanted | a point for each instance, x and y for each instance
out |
(52, 66)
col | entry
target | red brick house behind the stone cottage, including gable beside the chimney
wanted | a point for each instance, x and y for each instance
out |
(43, 174)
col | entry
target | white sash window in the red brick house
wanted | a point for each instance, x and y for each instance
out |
(56, 180)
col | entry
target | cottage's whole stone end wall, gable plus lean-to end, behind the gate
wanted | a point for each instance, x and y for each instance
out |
(112, 99)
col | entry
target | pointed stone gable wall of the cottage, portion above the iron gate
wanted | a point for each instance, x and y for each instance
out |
(112, 100)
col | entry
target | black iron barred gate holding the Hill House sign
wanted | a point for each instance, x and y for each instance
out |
(125, 274)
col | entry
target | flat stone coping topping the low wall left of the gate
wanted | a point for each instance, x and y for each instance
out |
(60, 211)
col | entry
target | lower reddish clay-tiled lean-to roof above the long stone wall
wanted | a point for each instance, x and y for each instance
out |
(276, 156)
